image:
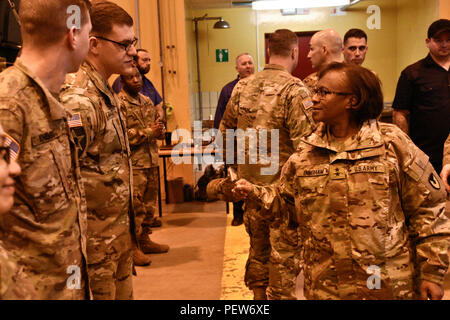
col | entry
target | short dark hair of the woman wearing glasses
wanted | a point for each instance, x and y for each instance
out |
(364, 85)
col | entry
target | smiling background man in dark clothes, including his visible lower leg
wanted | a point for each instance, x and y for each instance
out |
(245, 68)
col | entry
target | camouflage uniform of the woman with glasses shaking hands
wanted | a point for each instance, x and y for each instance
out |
(373, 202)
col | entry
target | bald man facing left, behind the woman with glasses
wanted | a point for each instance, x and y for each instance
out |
(324, 47)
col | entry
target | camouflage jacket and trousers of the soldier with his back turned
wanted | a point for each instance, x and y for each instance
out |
(270, 99)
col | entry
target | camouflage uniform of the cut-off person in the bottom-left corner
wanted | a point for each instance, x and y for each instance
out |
(14, 285)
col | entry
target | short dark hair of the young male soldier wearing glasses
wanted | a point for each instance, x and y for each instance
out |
(106, 14)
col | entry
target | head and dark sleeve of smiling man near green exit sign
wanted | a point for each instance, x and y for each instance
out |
(245, 68)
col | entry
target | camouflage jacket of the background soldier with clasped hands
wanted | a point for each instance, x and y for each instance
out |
(140, 114)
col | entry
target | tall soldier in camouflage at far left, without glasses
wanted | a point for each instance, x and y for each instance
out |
(46, 228)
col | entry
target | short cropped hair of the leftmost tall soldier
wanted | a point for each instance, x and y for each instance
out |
(44, 22)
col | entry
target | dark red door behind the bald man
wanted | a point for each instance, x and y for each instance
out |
(304, 67)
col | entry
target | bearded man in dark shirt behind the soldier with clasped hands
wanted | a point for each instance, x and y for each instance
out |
(143, 63)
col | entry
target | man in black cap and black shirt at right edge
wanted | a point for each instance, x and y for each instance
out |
(423, 94)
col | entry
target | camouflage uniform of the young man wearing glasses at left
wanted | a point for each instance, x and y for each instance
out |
(100, 131)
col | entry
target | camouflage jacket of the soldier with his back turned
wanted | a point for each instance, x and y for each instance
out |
(273, 107)
